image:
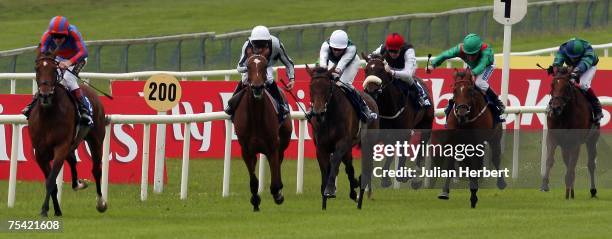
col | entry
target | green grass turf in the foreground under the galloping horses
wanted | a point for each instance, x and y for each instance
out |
(518, 211)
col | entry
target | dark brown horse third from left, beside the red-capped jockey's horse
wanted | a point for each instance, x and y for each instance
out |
(336, 129)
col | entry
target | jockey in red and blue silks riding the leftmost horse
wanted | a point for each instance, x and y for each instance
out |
(67, 43)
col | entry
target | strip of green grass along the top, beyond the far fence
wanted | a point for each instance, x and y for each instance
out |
(24, 21)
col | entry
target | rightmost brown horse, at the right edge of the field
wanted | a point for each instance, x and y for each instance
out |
(570, 125)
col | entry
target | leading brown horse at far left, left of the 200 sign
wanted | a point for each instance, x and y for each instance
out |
(53, 131)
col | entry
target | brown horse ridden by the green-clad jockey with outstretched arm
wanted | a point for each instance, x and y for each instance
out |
(471, 122)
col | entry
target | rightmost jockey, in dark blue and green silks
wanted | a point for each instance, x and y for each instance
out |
(579, 54)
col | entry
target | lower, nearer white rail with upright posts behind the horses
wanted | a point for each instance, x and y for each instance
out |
(147, 120)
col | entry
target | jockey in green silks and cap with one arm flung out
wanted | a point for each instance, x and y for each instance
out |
(480, 59)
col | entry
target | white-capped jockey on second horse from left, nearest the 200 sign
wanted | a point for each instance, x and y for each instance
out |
(261, 41)
